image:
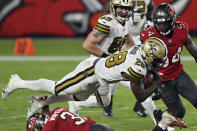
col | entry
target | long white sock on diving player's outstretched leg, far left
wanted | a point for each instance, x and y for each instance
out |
(41, 85)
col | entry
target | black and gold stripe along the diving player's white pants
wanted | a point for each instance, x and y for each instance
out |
(74, 80)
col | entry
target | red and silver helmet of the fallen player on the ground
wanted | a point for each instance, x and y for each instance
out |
(36, 122)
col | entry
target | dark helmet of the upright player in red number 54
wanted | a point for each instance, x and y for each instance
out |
(164, 19)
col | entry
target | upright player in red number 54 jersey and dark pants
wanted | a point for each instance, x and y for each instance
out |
(175, 80)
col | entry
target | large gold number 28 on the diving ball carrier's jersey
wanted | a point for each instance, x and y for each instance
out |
(115, 59)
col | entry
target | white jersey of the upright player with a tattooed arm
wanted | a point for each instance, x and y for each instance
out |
(117, 33)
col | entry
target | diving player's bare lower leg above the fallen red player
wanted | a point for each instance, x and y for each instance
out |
(56, 99)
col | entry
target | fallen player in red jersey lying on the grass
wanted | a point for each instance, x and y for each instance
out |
(60, 119)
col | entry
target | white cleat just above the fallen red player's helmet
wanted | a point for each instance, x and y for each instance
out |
(35, 105)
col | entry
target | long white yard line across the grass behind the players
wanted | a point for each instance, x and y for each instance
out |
(60, 58)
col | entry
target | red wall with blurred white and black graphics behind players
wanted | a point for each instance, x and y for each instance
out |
(64, 18)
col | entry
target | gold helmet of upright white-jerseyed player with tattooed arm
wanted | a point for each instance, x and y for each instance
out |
(121, 3)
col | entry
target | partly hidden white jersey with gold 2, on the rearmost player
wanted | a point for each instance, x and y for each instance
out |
(139, 15)
